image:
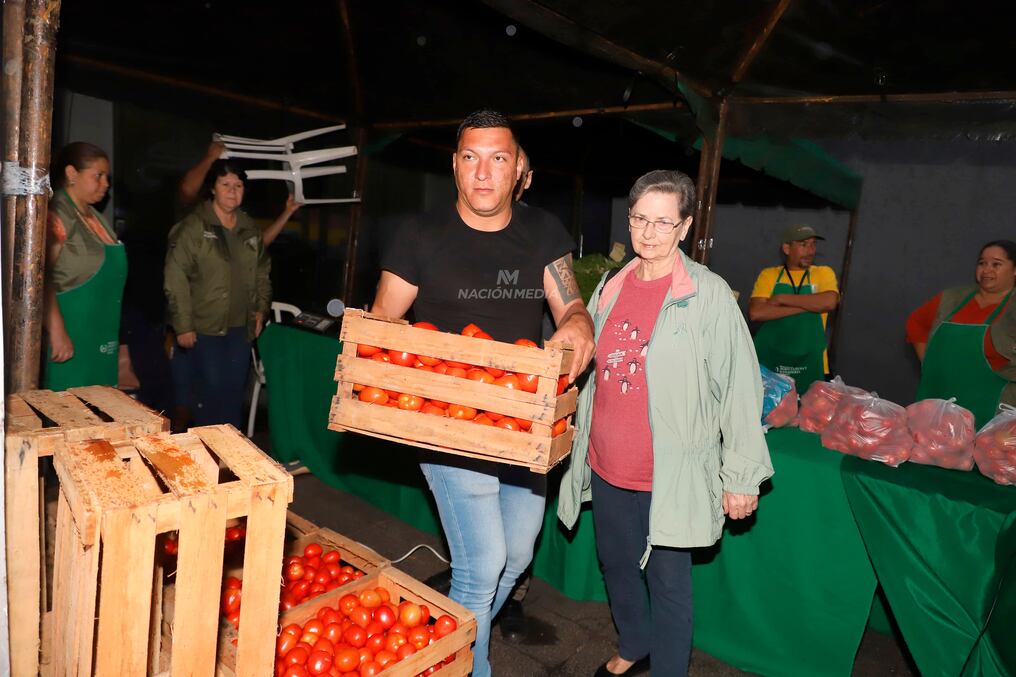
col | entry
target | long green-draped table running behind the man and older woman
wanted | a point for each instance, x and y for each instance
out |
(788, 592)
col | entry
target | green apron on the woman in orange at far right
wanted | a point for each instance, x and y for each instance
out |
(956, 366)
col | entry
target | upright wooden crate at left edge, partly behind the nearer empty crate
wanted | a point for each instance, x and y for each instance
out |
(37, 422)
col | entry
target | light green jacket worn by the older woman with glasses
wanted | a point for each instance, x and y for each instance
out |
(706, 408)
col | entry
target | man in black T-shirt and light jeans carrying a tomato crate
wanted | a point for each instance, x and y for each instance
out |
(492, 264)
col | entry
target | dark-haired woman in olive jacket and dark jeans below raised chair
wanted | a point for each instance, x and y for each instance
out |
(219, 292)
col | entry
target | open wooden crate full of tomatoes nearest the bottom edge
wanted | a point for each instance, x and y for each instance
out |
(389, 625)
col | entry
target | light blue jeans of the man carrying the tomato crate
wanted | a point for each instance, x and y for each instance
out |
(491, 515)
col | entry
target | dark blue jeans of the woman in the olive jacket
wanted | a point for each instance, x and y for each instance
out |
(216, 372)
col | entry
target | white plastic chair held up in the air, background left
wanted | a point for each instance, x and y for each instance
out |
(281, 150)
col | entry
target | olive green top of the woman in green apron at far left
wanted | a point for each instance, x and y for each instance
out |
(83, 254)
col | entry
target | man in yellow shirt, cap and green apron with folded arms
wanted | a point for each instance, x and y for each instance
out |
(793, 301)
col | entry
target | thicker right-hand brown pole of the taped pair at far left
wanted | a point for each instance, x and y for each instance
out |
(42, 21)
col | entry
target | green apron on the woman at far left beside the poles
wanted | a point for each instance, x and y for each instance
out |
(92, 316)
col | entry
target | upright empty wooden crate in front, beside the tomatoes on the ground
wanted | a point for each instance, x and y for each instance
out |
(116, 501)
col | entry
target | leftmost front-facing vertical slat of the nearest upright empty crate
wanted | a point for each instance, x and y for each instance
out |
(129, 560)
